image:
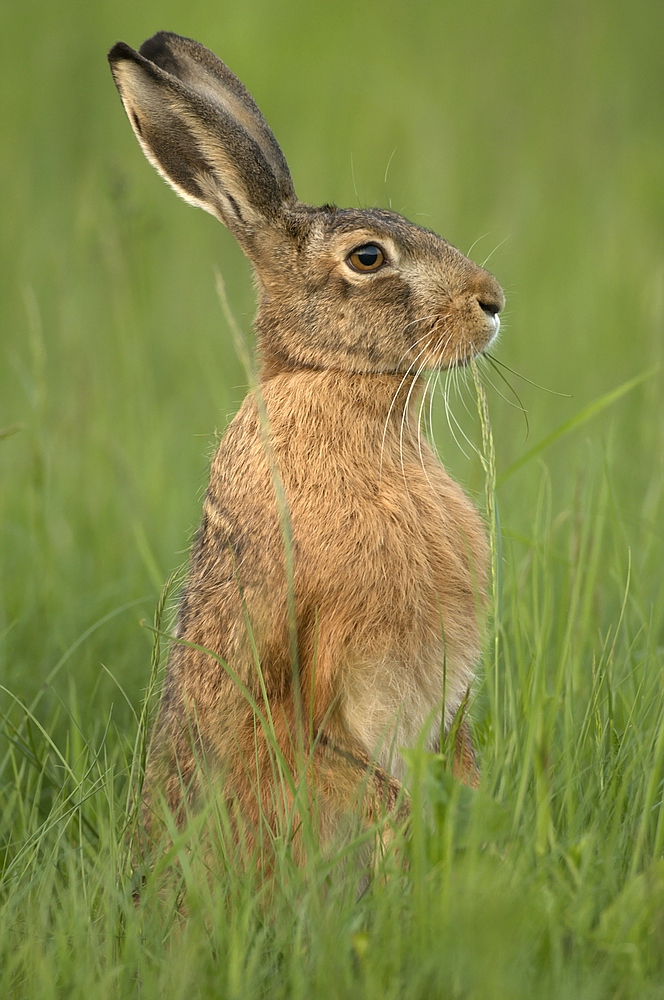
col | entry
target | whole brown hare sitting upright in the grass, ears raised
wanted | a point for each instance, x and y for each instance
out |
(338, 571)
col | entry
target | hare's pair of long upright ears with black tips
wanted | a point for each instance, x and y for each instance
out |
(202, 130)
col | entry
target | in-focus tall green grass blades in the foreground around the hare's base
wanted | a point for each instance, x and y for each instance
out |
(549, 878)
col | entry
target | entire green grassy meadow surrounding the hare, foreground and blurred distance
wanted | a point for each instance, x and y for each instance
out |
(532, 133)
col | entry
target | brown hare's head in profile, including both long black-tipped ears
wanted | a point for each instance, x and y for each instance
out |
(356, 289)
